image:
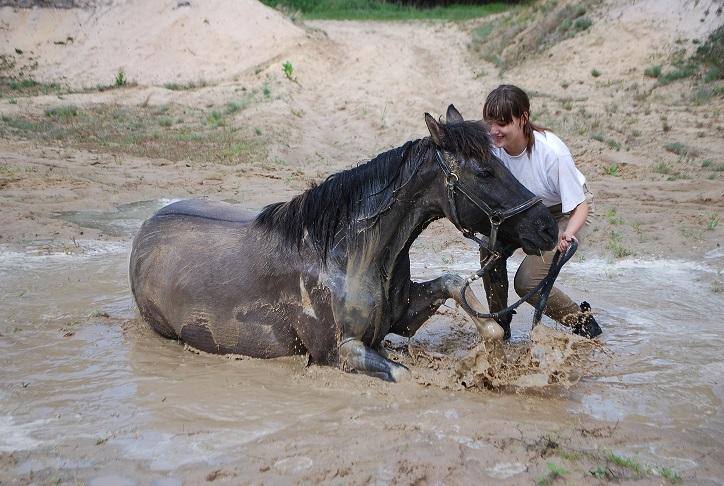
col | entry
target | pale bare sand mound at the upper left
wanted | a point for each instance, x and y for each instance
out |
(154, 41)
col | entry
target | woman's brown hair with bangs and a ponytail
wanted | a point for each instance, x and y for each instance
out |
(508, 101)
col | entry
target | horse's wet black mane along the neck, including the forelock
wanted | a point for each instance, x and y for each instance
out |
(354, 197)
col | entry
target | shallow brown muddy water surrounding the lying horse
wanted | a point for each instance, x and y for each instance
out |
(88, 393)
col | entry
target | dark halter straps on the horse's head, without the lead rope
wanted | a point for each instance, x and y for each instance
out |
(496, 216)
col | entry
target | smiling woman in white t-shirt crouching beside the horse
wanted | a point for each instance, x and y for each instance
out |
(543, 164)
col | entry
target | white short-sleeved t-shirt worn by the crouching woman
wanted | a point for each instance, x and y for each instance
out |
(549, 172)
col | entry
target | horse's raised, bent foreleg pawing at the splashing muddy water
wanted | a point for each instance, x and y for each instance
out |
(427, 297)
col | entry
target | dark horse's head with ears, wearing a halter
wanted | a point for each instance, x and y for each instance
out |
(480, 192)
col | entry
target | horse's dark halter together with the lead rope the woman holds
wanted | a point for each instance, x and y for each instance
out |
(497, 217)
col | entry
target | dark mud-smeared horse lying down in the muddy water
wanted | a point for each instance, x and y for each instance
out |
(328, 273)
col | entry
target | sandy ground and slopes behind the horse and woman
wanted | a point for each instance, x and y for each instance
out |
(213, 72)
